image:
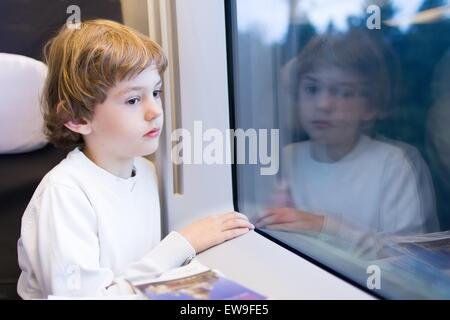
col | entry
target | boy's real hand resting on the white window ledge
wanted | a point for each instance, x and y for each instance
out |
(215, 229)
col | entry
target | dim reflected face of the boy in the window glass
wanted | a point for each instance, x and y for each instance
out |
(333, 104)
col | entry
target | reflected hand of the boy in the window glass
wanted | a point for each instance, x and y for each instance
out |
(290, 219)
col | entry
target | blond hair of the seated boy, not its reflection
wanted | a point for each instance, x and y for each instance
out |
(83, 64)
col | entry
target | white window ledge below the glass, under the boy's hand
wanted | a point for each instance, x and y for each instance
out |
(277, 273)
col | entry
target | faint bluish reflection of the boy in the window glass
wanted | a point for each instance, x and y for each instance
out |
(340, 176)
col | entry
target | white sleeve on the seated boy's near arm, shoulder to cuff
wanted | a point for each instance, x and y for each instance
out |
(59, 236)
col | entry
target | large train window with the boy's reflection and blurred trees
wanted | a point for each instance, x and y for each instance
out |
(343, 109)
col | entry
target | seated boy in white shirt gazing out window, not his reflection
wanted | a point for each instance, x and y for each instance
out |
(94, 219)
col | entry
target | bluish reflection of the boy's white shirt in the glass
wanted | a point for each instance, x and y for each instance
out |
(378, 187)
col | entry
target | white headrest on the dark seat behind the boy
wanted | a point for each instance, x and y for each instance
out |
(21, 122)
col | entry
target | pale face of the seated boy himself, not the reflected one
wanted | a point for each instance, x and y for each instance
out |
(129, 122)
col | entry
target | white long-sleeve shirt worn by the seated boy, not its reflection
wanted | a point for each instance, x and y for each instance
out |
(85, 230)
